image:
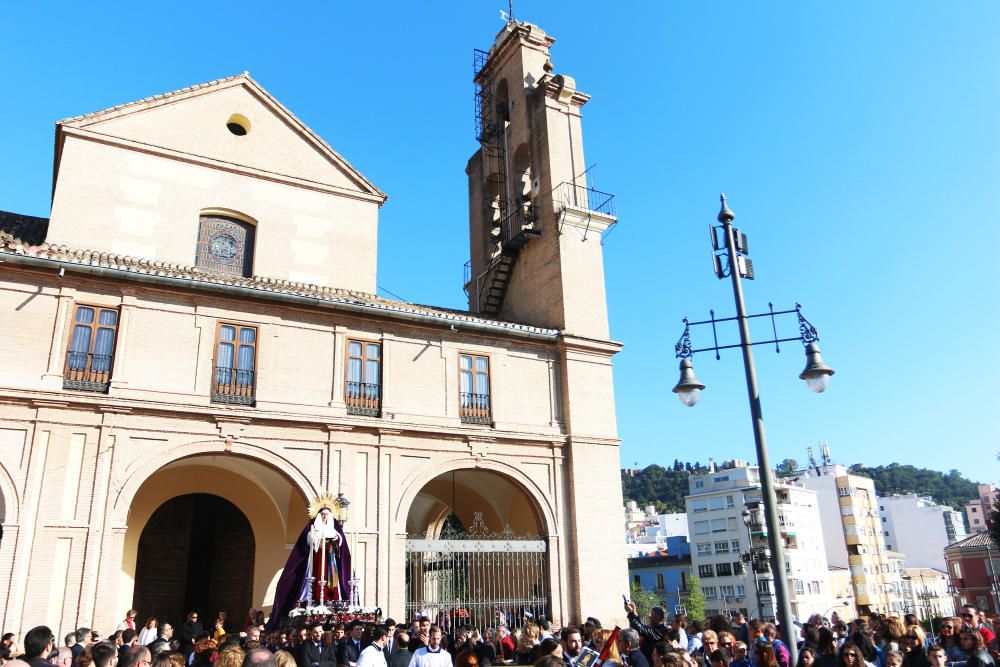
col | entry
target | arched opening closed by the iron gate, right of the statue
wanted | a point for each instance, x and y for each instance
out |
(475, 547)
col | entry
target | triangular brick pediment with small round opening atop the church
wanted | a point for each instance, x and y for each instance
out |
(194, 123)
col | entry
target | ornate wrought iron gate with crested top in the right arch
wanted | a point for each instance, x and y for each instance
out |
(477, 577)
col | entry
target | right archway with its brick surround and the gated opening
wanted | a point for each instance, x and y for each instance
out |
(471, 583)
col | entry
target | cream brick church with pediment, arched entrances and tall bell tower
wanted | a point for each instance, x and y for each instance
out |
(195, 350)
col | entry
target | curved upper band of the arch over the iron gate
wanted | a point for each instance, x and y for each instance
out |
(415, 482)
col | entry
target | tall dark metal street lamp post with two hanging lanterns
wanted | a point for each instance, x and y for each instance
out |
(816, 375)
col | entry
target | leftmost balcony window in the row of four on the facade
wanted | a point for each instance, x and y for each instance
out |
(91, 348)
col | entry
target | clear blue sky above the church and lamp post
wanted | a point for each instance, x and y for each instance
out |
(857, 142)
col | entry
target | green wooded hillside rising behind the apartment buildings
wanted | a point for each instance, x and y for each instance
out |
(666, 487)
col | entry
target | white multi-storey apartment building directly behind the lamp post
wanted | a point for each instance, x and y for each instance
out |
(729, 556)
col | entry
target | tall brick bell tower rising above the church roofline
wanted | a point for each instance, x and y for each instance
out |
(535, 226)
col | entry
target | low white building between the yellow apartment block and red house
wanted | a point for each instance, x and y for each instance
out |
(919, 528)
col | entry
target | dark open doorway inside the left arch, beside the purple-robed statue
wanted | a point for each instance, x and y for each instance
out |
(195, 553)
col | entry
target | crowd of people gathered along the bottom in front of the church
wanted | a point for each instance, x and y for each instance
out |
(966, 640)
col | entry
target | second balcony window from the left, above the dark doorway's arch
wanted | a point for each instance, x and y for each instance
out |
(235, 369)
